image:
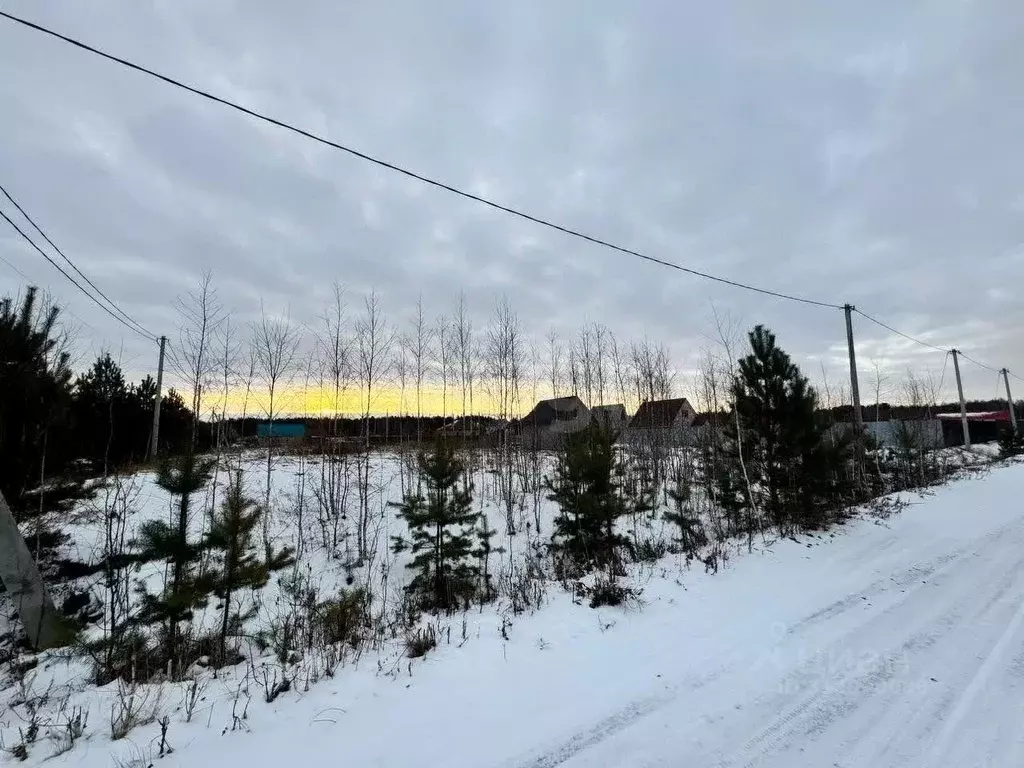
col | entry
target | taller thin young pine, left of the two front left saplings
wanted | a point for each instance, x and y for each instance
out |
(187, 589)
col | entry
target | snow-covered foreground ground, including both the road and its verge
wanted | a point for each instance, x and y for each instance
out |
(882, 644)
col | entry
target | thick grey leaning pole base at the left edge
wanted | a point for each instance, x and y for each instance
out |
(25, 585)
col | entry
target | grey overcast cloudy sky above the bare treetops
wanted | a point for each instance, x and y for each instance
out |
(865, 153)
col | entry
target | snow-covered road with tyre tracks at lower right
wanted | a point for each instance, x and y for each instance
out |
(911, 653)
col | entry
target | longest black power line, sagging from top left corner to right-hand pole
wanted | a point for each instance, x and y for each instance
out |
(406, 173)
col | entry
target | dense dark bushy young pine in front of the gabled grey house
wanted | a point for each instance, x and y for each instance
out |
(587, 488)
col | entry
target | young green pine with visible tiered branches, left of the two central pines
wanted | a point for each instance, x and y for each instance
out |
(442, 533)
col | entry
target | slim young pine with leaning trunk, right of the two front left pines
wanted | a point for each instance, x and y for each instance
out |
(232, 534)
